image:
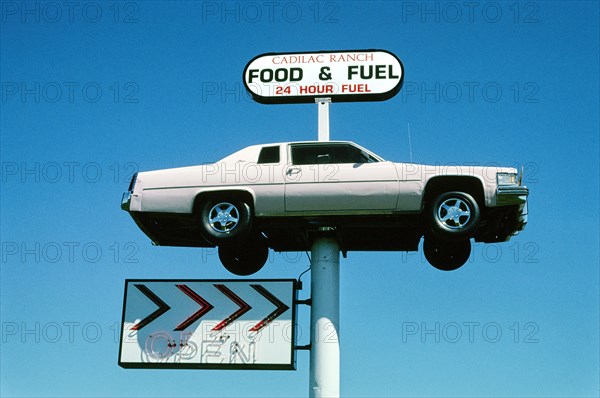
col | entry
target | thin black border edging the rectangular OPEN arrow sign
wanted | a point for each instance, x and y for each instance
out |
(262, 366)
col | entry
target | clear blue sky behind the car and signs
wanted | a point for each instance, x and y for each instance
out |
(94, 91)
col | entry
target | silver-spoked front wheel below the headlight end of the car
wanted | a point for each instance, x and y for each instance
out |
(454, 216)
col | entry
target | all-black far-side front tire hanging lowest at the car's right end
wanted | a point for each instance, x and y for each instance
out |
(446, 256)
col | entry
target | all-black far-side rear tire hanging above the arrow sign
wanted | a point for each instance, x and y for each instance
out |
(246, 258)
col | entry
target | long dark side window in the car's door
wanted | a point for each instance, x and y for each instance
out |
(324, 154)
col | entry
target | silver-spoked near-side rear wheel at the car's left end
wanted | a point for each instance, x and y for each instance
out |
(224, 221)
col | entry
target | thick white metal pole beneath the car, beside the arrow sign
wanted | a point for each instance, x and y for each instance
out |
(325, 317)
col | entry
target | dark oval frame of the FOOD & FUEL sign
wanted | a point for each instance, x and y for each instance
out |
(312, 98)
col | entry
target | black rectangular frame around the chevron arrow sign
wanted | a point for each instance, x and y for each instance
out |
(291, 365)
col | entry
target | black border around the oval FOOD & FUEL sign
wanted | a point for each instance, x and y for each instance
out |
(310, 99)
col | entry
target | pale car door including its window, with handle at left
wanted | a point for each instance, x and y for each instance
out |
(330, 177)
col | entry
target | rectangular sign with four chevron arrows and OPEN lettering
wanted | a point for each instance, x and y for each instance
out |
(209, 324)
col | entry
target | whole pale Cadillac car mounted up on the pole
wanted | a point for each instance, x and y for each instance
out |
(280, 196)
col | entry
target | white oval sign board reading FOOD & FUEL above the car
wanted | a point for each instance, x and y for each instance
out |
(343, 76)
